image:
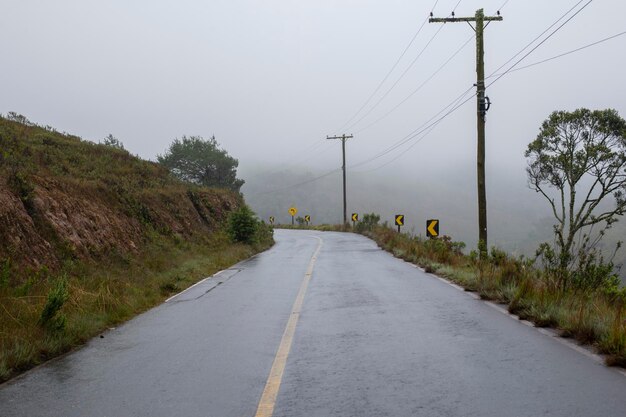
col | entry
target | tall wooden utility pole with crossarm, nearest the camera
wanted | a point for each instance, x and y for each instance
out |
(482, 107)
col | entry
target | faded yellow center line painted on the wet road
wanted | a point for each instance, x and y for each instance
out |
(268, 398)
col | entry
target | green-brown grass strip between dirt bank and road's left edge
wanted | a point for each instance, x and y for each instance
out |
(43, 315)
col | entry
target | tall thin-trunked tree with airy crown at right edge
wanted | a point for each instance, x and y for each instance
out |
(582, 156)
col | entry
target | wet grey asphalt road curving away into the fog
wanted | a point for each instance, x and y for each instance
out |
(376, 337)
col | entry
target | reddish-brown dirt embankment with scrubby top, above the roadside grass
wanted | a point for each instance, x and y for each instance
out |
(64, 198)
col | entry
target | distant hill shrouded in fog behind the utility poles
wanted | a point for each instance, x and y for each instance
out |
(519, 220)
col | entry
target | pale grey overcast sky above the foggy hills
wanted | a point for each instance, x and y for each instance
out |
(270, 79)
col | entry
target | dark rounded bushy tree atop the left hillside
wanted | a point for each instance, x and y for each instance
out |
(199, 161)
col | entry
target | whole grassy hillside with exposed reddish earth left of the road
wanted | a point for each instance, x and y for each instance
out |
(91, 235)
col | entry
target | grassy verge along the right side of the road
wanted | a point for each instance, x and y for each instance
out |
(593, 317)
